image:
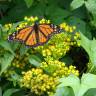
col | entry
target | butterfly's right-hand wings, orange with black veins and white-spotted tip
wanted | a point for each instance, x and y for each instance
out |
(46, 31)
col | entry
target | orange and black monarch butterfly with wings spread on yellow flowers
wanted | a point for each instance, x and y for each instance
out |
(35, 35)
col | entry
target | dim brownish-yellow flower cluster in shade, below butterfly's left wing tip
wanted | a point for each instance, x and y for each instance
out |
(18, 63)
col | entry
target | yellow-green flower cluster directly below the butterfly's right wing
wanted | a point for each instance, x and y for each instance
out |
(56, 47)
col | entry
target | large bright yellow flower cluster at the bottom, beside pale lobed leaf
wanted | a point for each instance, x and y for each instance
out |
(39, 82)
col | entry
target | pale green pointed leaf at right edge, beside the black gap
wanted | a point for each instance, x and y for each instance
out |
(90, 47)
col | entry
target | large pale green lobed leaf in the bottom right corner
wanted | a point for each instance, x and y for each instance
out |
(79, 87)
